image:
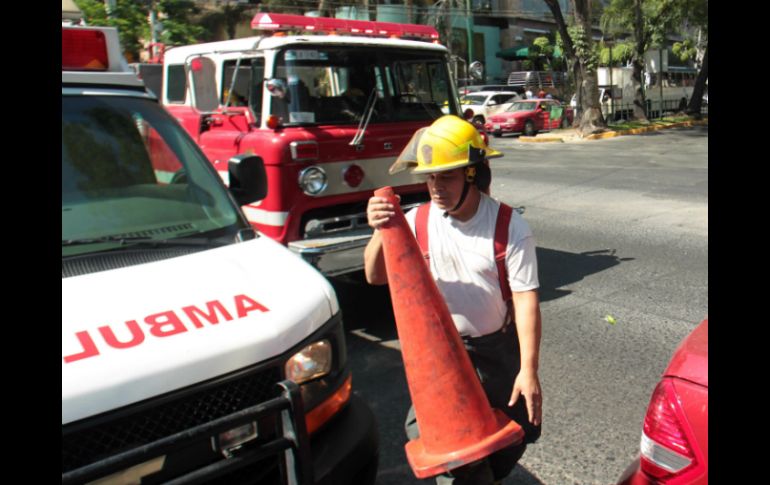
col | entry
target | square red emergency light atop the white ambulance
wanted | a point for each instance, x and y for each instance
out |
(83, 50)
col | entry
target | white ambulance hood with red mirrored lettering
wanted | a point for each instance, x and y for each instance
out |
(137, 332)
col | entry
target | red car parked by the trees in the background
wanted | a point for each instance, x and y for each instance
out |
(530, 116)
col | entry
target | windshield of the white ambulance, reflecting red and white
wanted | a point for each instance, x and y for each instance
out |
(129, 172)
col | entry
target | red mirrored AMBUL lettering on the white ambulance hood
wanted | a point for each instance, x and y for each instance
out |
(163, 324)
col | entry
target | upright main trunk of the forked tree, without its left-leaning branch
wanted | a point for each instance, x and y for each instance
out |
(592, 120)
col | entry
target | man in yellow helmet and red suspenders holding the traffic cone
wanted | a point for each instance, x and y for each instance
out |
(501, 335)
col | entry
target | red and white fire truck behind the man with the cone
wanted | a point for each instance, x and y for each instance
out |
(328, 108)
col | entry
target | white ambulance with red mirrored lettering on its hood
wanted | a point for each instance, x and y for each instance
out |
(194, 349)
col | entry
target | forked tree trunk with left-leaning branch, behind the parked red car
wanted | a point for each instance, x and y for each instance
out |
(582, 62)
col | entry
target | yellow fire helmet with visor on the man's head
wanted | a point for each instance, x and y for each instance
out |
(449, 143)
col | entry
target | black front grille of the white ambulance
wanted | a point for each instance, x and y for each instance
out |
(107, 435)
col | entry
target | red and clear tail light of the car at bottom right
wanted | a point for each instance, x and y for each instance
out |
(665, 446)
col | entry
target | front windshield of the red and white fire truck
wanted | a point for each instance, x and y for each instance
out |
(331, 85)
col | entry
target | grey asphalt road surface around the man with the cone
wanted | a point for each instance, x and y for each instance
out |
(621, 228)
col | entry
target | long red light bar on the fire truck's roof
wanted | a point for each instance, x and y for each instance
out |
(283, 22)
